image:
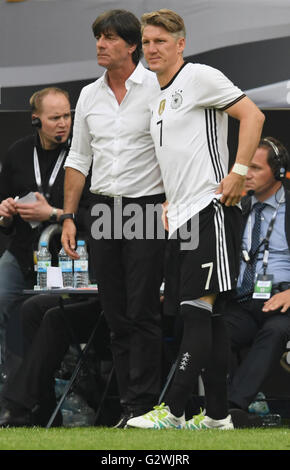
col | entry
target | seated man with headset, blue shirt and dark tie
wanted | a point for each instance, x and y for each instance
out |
(258, 316)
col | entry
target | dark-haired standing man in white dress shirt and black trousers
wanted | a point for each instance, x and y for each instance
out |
(111, 132)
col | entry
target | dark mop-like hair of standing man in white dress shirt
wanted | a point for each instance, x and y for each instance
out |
(123, 23)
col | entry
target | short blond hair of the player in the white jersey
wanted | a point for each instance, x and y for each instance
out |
(168, 19)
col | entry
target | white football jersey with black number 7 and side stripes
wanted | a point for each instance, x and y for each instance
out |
(189, 128)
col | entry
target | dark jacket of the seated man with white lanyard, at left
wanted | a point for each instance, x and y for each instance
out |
(17, 178)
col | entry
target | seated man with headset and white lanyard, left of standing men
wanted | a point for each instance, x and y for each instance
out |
(32, 164)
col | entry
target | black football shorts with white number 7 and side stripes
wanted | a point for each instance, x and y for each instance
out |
(209, 263)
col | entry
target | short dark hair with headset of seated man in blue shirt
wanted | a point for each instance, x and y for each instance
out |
(277, 154)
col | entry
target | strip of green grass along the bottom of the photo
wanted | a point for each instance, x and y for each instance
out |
(132, 439)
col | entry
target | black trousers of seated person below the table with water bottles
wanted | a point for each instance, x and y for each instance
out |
(47, 331)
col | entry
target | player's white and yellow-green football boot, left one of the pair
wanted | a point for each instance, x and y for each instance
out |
(159, 418)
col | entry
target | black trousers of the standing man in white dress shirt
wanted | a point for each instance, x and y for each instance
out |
(129, 272)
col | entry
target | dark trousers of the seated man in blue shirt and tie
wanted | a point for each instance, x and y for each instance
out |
(265, 335)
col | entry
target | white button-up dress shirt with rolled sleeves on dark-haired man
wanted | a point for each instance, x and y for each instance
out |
(116, 138)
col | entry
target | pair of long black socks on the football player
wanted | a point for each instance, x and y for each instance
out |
(203, 351)
